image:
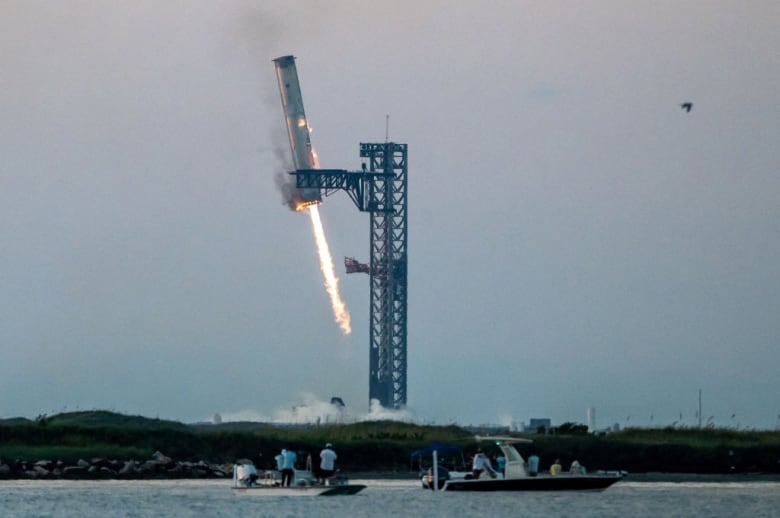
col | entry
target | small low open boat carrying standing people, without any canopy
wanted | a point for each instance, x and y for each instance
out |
(247, 481)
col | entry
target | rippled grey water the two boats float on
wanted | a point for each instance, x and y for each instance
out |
(382, 498)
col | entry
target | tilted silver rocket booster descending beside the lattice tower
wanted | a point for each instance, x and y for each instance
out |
(304, 156)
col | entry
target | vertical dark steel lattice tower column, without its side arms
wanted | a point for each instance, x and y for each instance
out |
(388, 208)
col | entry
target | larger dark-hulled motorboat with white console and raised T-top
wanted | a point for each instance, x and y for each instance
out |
(516, 477)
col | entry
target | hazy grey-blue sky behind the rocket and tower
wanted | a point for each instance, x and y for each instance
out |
(575, 238)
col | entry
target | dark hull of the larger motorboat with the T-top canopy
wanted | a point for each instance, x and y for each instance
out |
(540, 483)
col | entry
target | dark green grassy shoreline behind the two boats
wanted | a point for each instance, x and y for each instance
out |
(379, 447)
